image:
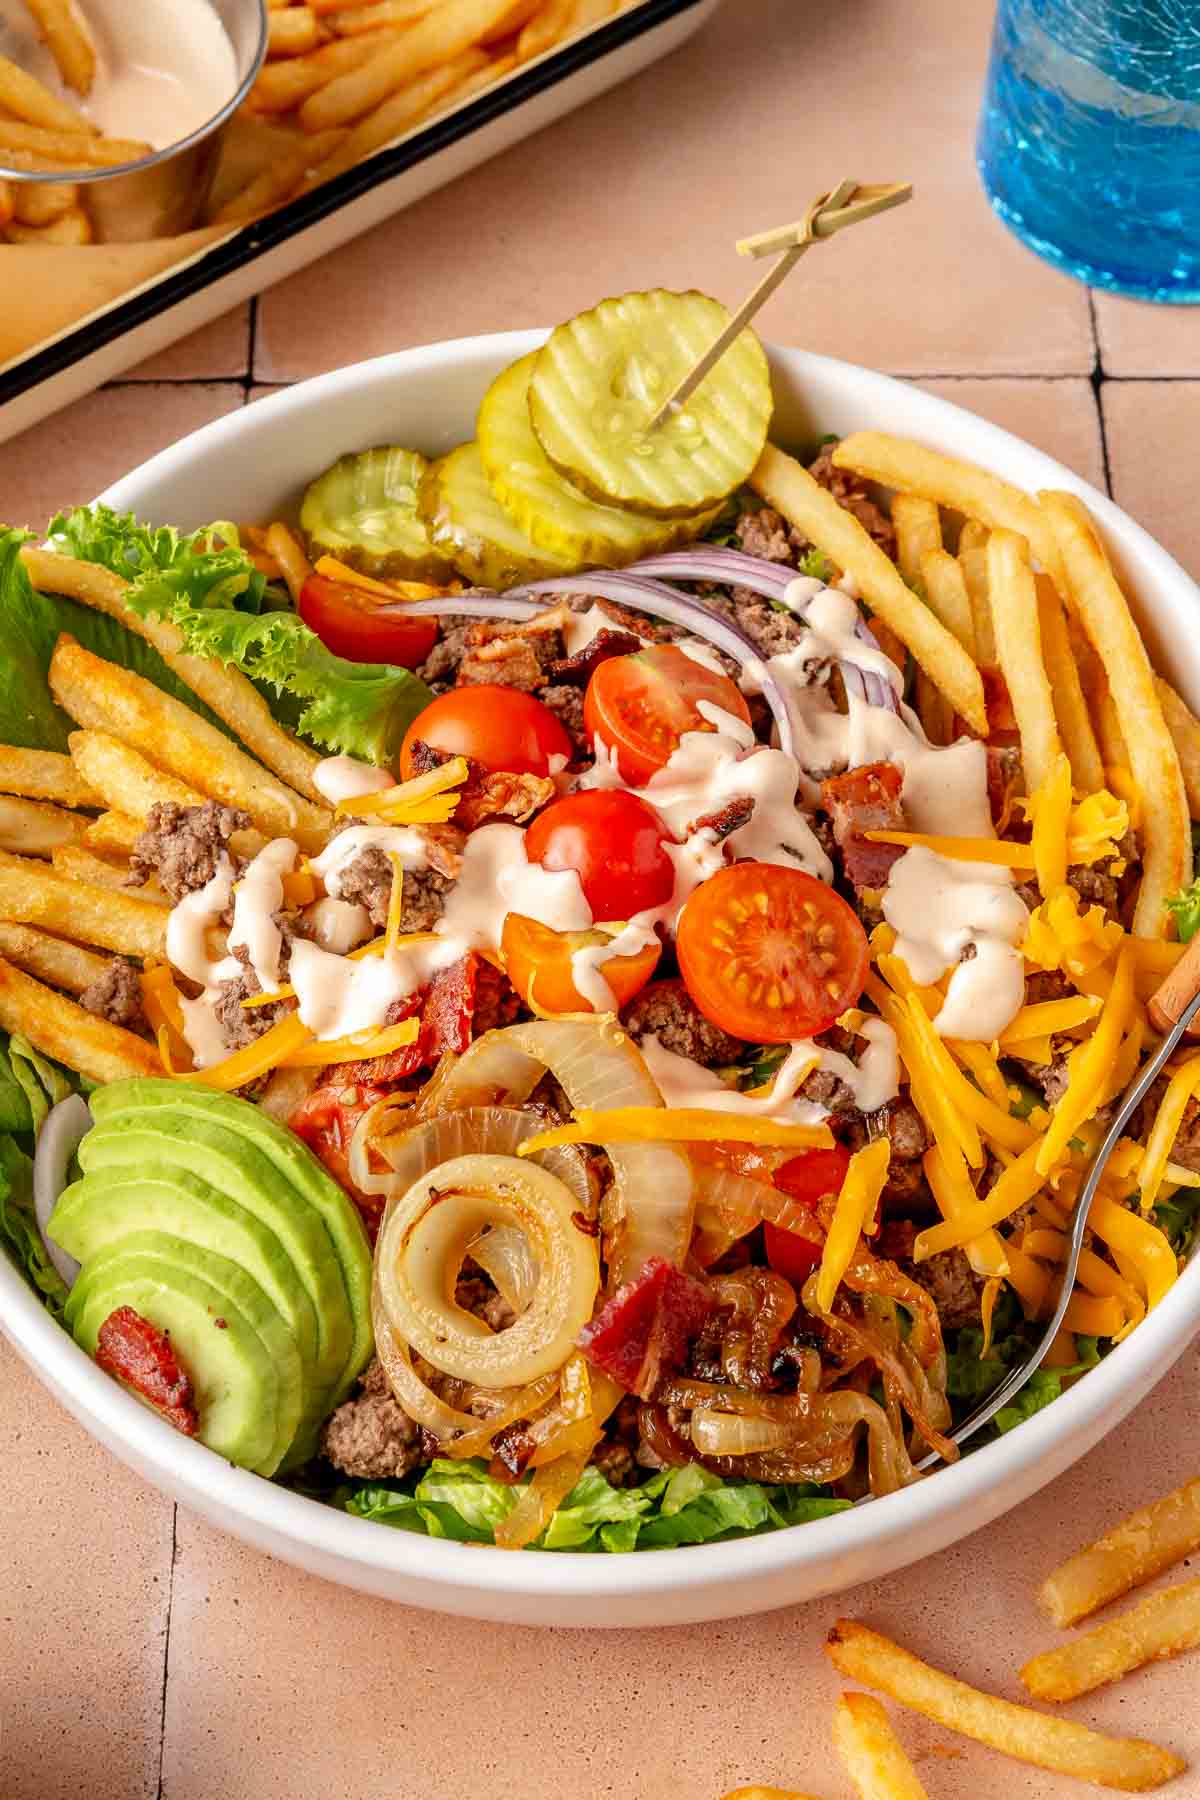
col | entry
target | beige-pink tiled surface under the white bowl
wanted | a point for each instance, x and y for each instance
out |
(280, 1687)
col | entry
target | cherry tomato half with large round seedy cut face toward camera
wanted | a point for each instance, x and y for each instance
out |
(771, 955)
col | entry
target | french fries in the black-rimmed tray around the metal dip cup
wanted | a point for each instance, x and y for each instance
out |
(341, 82)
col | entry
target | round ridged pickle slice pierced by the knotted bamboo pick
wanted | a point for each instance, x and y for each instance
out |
(602, 377)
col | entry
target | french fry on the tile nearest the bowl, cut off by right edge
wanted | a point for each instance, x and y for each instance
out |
(1142, 1547)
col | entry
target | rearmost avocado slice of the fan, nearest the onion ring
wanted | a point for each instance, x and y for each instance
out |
(184, 1106)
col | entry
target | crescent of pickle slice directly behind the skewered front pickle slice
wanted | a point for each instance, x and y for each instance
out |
(555, 516)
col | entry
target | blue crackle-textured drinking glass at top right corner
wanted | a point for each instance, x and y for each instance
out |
(1089, 141)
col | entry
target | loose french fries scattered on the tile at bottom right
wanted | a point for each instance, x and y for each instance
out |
(1165, 1624)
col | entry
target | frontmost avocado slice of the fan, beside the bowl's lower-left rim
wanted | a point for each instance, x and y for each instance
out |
(237, 1349)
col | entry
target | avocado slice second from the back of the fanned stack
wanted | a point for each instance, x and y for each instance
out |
(120, 1153)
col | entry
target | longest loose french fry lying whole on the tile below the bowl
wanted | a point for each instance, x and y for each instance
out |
(1048, 1743)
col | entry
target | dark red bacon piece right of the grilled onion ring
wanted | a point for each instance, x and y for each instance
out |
(643, 1333)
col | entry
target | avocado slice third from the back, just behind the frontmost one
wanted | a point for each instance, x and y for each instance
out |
(114, 1201)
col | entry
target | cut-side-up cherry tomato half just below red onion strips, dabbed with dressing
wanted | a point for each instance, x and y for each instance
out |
(640, 706)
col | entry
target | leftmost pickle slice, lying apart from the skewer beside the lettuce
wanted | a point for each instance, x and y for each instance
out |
(364, 512)
